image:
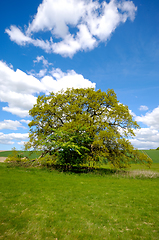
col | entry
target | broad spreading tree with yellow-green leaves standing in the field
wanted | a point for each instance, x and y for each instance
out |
(84, 125)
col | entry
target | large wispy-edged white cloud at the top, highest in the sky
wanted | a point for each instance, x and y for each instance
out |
(92, 22)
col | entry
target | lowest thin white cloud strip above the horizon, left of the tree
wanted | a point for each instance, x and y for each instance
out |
(11, 137)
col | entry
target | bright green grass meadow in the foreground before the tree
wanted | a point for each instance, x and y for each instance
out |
(42, 204)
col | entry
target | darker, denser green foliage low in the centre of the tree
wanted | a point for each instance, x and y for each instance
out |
(69, 146)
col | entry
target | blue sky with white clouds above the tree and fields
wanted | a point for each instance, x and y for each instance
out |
(53, 44)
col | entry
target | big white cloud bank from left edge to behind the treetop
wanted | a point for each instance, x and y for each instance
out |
(19, 89)
